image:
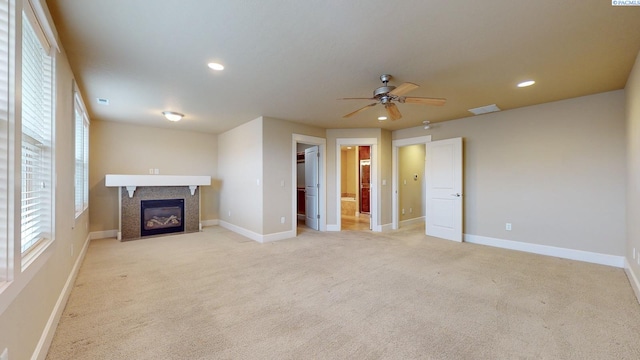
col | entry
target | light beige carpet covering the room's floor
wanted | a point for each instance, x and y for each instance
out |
(346, 295)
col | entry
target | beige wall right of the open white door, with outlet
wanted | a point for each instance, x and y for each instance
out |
(555, 171)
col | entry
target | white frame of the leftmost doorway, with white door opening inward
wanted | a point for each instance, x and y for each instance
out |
(322, 171)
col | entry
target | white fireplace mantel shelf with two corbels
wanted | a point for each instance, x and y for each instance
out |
(132, 181)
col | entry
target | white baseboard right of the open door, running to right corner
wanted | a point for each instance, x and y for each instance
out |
(580, 255)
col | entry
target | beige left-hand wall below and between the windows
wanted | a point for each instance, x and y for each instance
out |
(28, 302)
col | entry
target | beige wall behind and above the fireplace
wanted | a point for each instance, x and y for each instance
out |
(117, 148)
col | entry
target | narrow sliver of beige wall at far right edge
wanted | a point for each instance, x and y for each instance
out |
(632, 91)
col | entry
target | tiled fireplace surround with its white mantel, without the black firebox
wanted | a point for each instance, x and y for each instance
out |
(135, 188)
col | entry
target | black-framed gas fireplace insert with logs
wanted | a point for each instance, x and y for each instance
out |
(161, 216)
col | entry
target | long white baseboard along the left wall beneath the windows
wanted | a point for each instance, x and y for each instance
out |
(40, 353)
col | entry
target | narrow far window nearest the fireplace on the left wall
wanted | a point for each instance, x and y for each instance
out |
(81, 154)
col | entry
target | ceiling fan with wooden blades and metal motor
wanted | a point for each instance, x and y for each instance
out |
(387, 95)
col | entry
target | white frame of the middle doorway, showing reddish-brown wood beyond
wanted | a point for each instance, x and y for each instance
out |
(373, 143)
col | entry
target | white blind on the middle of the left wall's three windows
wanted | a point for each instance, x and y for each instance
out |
(36, 184)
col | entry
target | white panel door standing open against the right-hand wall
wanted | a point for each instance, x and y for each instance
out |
(443, 166)
